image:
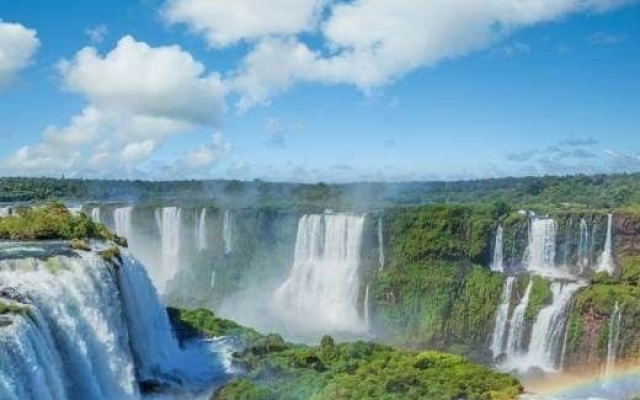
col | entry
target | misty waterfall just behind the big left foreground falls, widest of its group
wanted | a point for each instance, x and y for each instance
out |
(170, 223)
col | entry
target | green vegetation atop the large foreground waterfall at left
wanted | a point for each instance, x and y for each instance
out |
(52, 221)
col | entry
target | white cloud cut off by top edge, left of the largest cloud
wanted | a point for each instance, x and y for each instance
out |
(225, 22)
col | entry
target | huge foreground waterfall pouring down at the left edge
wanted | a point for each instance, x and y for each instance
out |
(90, 333)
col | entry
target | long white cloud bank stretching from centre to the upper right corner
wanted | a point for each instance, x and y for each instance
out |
(371, 43)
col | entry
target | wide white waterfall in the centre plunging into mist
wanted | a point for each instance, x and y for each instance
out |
(323, 284)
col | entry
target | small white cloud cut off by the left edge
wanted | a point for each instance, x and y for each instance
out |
(18, 44)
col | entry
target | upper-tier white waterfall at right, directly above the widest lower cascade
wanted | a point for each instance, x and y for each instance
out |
(540, 254)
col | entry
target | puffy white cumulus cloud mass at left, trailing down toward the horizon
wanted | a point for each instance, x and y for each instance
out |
(137, 96)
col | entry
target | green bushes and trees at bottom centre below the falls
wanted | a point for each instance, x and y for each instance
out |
(280, 371)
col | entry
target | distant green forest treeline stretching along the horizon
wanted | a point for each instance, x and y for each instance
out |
(592, 191)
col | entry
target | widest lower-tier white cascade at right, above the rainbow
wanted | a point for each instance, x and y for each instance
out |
(548, 330)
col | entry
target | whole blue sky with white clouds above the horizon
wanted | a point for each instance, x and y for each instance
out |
(309, 90)
